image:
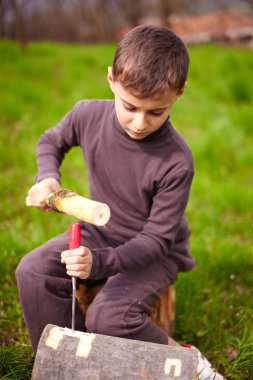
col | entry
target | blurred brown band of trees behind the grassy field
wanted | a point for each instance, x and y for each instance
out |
(93, 20)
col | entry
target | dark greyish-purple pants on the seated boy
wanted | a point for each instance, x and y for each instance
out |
(120, 309)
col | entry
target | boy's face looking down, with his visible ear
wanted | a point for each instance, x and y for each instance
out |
(141, 117)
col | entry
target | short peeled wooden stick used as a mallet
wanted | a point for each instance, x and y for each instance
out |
(69, 202)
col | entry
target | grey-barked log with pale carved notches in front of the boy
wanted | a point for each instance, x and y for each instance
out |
(66, 355)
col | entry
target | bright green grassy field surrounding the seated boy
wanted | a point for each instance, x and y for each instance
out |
(214, 301)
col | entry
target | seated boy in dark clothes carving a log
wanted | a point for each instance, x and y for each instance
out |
(142, 168)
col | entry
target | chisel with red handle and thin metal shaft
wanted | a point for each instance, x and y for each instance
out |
(74, 242)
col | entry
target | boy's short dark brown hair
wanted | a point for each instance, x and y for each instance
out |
(150, 59)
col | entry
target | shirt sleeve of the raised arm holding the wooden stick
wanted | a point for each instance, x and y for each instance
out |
(55, 143)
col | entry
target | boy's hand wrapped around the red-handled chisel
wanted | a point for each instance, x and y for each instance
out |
(78, 262)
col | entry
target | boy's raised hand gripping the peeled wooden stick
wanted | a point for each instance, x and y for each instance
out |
(38, 193)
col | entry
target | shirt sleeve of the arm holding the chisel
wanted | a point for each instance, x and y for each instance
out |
(157, 238)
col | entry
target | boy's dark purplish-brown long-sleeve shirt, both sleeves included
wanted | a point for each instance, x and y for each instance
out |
(145, 182)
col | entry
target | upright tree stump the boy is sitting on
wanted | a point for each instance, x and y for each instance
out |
(163, 312)
